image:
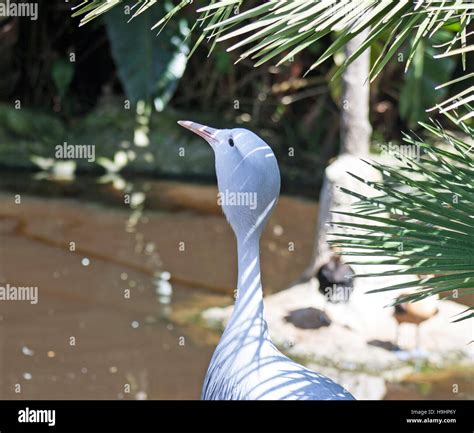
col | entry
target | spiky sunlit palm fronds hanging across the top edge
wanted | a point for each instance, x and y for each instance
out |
(279, 29)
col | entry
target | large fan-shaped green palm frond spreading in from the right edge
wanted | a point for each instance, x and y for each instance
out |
(422, 220)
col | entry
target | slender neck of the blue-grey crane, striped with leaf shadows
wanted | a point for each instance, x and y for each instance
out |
(248, 311)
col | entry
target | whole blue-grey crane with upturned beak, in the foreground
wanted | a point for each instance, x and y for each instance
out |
(246, 365)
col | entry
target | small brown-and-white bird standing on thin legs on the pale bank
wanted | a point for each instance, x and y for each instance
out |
(415, 313)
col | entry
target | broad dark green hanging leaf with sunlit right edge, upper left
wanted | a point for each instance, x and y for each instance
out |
(149, 66)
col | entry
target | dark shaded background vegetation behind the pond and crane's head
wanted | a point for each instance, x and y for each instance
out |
(113, 57)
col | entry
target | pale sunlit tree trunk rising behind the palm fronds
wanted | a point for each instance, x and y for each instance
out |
(355, 142)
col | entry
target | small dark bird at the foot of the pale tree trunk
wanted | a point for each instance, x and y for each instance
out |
(335, 280)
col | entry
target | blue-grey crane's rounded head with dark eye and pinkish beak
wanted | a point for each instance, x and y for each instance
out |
(248, 177)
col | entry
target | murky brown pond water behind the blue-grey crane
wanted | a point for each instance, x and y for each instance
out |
(123, 268)
